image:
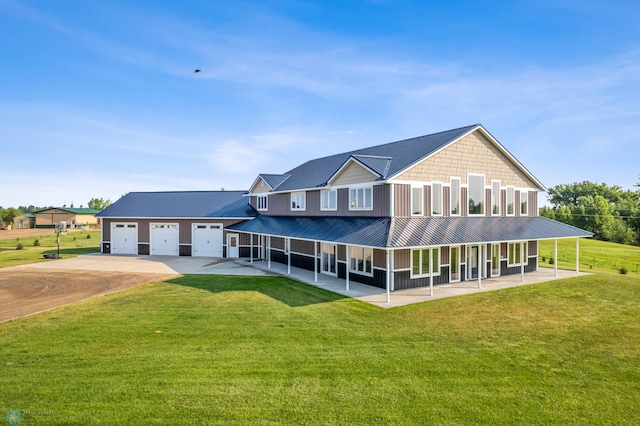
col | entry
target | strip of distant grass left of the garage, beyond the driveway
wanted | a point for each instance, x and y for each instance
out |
(71, 245)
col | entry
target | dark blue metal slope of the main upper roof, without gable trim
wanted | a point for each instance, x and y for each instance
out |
(316, 173)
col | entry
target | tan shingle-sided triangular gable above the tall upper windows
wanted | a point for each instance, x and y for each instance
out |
(472, 153)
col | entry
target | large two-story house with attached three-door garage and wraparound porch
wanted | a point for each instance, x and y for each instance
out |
(442, 208)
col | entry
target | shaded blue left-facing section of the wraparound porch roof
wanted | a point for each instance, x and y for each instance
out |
(371, 232)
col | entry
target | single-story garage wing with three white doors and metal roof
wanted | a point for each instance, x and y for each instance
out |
(185, 223)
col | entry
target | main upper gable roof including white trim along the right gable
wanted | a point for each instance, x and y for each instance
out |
(387, 160)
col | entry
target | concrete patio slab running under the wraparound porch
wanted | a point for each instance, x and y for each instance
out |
(377, 296)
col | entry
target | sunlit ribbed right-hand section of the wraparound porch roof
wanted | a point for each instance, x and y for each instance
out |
(418, 231)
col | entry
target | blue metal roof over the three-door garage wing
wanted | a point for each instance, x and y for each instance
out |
(192, 204)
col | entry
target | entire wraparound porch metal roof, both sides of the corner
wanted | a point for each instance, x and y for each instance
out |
(411, 231)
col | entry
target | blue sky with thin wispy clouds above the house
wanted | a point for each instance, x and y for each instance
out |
(99, 98)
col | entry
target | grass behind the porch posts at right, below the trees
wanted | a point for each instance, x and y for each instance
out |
(593, 255)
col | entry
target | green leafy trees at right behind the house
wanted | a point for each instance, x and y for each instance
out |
(611, 213)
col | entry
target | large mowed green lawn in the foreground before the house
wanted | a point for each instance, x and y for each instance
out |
(267, 350)
